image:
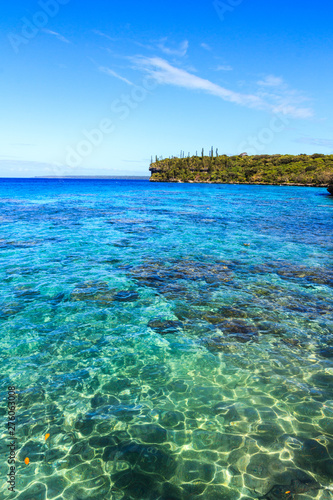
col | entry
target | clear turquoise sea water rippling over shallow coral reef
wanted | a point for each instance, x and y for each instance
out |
(176, 341)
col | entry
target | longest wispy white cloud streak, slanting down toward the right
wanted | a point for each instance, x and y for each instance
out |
(166, 74)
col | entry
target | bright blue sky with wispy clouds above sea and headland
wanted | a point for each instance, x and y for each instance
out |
(96, 88)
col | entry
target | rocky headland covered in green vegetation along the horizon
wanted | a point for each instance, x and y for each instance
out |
(304, 170)
